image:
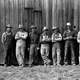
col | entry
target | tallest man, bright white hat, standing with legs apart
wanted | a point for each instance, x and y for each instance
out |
(68, 37)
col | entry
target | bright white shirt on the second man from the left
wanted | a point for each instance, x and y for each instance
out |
(21, 38)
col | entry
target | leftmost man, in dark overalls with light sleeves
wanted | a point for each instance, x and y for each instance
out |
(6, 39)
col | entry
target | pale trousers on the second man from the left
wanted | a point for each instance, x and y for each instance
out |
(20, 51)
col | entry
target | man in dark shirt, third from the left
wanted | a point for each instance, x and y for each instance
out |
(34, 45)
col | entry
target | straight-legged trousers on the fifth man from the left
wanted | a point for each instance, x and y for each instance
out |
(56, 53)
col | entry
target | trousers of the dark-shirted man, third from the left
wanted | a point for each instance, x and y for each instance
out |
(33, 53)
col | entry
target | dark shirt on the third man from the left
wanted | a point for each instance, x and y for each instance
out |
(34, 38)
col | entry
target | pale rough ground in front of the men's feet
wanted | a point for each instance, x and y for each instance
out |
(40, 73)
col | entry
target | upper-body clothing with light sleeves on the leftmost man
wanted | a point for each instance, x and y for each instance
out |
(6, 38)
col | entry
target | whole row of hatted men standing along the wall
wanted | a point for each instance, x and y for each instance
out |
(41, 42)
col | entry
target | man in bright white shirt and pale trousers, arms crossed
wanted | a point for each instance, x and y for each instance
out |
(20, 38)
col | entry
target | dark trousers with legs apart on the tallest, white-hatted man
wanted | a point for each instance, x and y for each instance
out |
(69, 44)
